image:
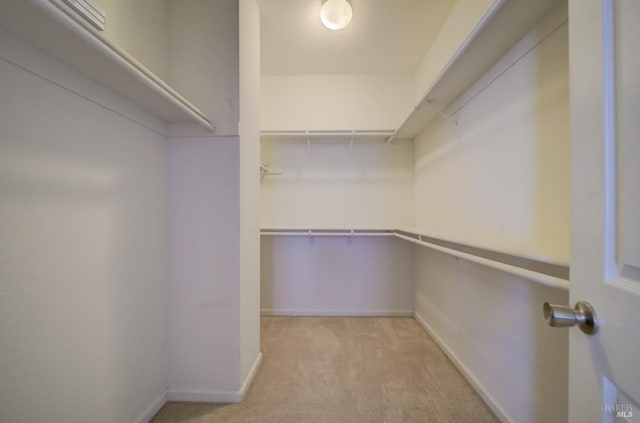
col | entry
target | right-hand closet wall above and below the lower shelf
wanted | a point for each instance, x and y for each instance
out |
(500, 179)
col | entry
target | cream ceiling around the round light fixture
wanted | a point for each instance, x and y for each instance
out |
(384, 37)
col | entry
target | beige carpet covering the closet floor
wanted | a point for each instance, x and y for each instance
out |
(335, 369)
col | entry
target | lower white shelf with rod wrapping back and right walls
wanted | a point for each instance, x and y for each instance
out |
(538, 270)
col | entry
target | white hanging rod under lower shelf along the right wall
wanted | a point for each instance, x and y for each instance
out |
(514, 270)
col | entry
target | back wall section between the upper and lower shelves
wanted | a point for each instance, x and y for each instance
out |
(372, 186)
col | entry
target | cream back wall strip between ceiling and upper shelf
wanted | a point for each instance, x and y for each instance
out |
(334, 102)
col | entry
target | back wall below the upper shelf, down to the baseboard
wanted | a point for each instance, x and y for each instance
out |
(369, 187)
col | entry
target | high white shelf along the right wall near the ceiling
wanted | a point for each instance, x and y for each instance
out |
(503, 24)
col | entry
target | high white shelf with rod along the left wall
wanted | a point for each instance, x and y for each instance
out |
(56, 29)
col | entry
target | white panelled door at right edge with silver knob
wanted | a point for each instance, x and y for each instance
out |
(604, 370)
